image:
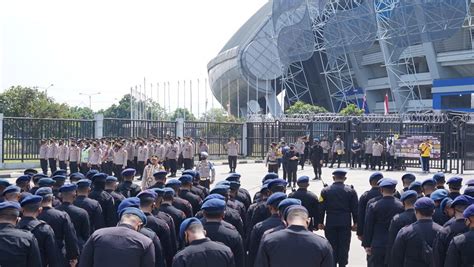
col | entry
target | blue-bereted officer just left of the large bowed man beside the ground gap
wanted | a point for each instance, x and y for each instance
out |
(273, 221)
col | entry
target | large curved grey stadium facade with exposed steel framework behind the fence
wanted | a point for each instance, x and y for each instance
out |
(331, 53)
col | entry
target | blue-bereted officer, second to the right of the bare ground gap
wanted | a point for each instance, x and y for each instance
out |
(401, 220)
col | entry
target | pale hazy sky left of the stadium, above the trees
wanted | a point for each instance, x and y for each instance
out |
(109, 46)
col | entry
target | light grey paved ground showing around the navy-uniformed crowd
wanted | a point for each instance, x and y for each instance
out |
(252, 174)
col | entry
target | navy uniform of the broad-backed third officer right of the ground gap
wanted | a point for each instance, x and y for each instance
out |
(407, 249)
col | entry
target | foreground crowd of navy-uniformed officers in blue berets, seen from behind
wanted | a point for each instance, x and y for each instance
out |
(95, 220)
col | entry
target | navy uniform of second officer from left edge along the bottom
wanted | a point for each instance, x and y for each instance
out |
(44, 234)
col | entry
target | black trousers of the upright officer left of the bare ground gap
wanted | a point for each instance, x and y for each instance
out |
(340, 239)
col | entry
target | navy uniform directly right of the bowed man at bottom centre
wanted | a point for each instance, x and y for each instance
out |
(218, 231)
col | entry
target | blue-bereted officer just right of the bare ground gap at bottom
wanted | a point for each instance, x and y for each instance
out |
(377, 222)
